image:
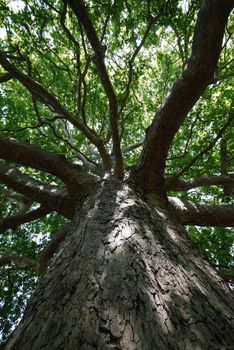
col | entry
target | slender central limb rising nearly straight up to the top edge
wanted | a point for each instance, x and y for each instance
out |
(81, 13)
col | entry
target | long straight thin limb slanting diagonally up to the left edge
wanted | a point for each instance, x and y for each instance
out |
(49, 99)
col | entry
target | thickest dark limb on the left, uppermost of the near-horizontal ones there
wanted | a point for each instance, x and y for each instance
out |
(35, 157)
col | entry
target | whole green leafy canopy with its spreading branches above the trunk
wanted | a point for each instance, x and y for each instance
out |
(85, 81)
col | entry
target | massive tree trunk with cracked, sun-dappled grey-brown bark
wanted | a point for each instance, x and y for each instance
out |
(127, 277)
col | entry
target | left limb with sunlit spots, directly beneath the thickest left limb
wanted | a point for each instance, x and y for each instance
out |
(50, 196)
